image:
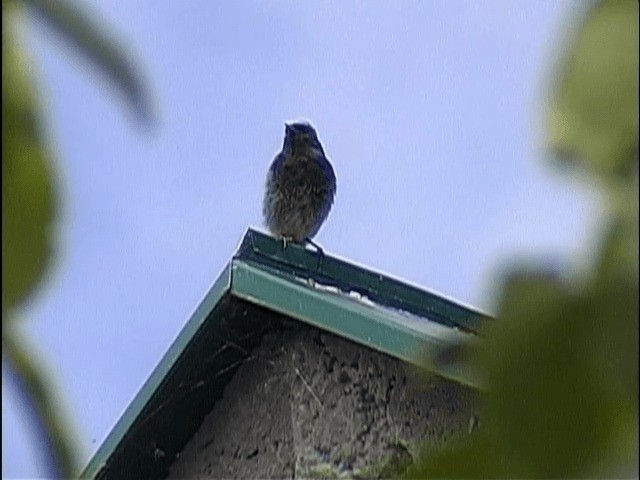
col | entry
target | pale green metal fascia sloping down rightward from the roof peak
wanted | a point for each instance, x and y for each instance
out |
(401, 335)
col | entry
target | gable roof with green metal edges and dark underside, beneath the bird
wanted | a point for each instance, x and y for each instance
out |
(262, 283)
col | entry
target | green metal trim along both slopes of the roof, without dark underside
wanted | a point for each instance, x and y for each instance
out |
(314, 298)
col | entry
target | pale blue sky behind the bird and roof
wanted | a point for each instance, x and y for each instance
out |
(430, 112)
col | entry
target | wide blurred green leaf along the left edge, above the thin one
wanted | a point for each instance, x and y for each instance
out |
(28, 192)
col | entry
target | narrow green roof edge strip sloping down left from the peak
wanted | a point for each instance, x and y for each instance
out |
(213, 296)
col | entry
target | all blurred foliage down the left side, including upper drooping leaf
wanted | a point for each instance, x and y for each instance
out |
(30, 199)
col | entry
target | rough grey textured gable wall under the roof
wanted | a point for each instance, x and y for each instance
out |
(308, 404)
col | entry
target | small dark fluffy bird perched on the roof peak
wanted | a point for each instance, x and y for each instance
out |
(300, 186)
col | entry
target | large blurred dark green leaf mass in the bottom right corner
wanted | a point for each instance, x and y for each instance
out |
(558, 405)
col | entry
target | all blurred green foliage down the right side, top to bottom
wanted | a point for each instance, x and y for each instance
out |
(562, 362)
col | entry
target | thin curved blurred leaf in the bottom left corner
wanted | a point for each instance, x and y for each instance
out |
(38, 395)
